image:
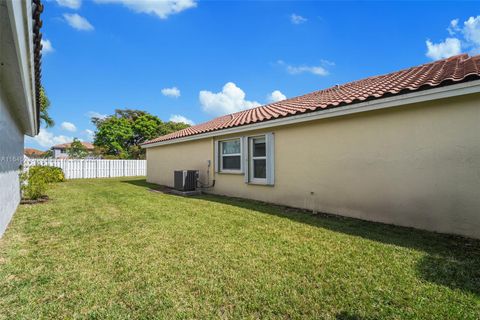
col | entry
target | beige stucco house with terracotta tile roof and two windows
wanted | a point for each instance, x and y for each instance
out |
(401, 148)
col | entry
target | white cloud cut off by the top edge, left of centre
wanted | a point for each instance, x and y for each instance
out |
(160, 8)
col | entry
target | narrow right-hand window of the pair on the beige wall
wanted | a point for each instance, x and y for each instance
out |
(258, 160)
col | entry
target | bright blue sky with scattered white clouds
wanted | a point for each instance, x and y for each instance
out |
(191, 61)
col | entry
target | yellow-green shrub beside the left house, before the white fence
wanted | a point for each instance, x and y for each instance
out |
(34, 181)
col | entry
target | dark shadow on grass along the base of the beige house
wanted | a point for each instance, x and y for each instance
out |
(451, 261)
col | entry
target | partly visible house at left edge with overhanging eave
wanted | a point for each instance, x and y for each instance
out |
(20, 55)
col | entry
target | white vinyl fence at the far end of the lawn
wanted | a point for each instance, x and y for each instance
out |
(93, 168)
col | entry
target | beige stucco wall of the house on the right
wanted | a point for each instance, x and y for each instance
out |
(416, 166)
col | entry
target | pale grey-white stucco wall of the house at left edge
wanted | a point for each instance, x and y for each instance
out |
(11, 156)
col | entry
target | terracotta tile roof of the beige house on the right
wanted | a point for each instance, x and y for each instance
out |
(426, 76)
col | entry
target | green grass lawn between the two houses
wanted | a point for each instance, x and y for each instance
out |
(113, 249)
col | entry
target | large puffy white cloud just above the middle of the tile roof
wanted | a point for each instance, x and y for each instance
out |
(231, 99)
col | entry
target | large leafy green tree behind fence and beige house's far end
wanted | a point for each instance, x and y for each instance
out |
(121, 134)
